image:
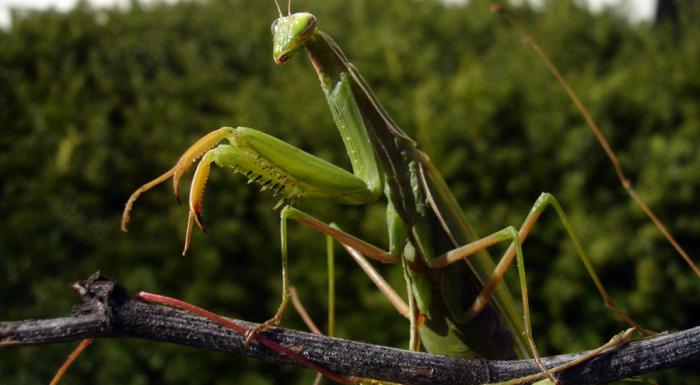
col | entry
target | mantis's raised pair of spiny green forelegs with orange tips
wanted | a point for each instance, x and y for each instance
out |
(266, 161)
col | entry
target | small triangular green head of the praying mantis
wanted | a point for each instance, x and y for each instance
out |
(290, 33)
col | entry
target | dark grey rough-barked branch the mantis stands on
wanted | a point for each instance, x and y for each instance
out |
(108, 311)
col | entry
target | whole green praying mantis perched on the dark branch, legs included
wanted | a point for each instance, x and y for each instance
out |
(457, 305)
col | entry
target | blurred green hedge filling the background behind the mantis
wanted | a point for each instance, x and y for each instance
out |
(94, 103)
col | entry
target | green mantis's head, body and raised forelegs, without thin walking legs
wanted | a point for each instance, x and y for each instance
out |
(384, 160)
